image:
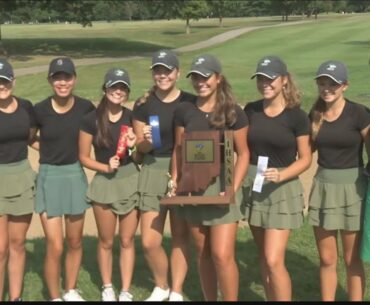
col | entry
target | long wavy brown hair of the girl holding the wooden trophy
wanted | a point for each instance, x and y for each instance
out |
(224, 113)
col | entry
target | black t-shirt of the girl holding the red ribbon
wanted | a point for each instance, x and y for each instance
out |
(103, 154)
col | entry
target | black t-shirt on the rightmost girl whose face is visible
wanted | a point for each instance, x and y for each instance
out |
(339, 143)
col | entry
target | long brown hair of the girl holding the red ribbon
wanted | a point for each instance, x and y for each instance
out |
(103, 136)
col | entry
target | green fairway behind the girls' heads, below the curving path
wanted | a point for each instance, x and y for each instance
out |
(304, 47)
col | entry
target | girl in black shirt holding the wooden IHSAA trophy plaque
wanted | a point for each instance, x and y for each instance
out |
(213, 227)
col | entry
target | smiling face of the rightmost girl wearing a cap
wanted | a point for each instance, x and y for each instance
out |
(329, 90)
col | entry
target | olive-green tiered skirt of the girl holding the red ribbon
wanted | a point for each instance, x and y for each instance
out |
(118, 189)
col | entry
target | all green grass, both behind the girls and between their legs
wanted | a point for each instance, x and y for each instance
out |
(303, 47)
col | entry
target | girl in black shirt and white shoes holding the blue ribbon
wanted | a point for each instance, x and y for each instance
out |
(161, 101)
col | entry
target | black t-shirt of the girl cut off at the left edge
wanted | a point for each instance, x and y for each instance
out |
(15, 131)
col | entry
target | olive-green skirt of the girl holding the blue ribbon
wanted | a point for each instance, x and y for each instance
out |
(153, 181)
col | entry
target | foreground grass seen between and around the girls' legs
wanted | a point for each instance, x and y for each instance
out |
(301, 261)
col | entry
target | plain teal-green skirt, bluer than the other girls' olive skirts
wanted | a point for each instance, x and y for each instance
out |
(61, 190)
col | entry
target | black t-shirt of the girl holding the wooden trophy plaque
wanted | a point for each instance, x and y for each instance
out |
(189, 116)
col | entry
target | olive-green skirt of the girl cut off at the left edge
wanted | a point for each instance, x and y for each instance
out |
(17, 188)
